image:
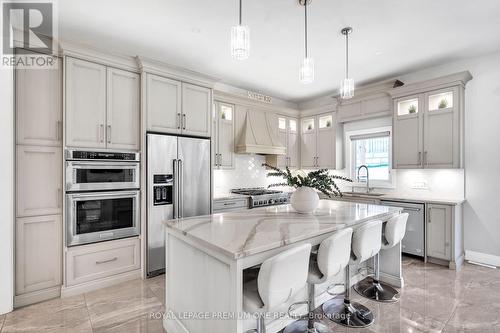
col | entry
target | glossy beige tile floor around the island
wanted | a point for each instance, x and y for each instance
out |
(434, 299)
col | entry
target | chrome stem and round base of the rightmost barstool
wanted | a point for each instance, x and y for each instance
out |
(375, 290)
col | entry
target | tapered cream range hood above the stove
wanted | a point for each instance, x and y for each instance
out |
(257, 136)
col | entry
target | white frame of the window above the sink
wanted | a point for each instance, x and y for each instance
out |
(352, 155)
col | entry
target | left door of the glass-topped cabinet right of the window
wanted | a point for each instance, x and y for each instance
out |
(408, 132)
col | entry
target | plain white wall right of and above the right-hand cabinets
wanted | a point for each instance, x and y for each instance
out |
(482, 157)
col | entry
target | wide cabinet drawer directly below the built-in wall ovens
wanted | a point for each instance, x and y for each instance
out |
(95, 261)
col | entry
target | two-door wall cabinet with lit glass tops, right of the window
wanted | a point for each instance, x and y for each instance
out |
(427, 129)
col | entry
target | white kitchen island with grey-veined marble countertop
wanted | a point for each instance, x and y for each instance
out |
(208, 257)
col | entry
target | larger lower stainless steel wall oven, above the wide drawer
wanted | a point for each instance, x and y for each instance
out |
(99, 216)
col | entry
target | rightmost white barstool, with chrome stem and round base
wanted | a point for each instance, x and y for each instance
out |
(372, 288)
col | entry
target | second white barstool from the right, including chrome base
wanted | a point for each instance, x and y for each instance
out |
(365, 244)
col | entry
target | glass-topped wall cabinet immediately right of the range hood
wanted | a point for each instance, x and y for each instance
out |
(288, 135)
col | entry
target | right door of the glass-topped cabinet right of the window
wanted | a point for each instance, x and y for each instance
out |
(441, 130)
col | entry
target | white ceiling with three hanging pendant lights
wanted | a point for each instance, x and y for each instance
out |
(390, 37)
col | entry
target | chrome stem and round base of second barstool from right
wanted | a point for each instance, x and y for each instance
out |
(345, 312)
